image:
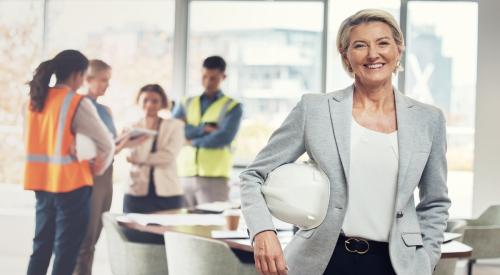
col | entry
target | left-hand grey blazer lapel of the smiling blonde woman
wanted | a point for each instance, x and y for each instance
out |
(340, 106)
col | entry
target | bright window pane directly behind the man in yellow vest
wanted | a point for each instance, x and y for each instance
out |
(273, 51)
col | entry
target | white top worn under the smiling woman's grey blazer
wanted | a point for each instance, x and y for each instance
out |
(372, 183)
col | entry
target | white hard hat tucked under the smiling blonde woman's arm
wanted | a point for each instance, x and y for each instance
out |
(298, 193)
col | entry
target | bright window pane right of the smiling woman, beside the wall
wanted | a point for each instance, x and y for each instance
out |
(441, 59)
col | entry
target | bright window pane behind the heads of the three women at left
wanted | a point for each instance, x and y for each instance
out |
(134, 37)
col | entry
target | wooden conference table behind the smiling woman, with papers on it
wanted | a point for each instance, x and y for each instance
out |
(242, 246)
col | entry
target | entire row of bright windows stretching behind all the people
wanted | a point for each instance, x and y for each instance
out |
(274, 54)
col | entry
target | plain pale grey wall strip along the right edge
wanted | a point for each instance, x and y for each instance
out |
(487, 148)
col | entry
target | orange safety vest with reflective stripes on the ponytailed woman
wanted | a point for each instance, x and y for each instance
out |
(49, 165)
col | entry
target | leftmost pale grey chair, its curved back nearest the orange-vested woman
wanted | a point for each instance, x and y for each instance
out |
(129, 258)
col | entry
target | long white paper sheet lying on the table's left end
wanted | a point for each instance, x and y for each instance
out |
(176, 219)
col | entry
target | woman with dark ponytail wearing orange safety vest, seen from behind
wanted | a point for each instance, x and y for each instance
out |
(62, 183)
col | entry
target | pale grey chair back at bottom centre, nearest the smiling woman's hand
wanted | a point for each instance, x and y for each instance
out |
(193, 255)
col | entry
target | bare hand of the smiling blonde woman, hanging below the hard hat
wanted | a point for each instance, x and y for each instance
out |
(269, 259)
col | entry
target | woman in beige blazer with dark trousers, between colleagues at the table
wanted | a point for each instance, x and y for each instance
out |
(153, 184)
